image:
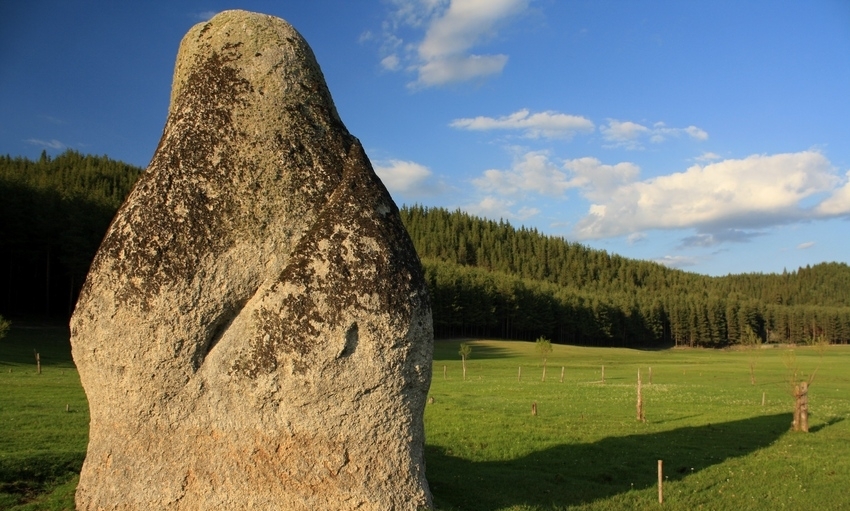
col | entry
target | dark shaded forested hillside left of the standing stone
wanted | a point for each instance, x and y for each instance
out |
(53, 215)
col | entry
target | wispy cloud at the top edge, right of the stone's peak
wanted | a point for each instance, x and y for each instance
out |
(452, 29)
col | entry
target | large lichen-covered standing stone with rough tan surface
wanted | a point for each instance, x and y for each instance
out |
(255, 331)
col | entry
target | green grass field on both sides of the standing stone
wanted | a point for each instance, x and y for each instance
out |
(721, 447)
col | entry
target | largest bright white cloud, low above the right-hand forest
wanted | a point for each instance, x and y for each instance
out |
(724, 197)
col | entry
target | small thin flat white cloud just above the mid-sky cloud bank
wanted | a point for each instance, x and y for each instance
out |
(542, 124)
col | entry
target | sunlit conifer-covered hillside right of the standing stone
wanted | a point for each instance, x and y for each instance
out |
(489, 278)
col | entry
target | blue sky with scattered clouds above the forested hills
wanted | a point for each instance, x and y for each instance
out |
(711, 136)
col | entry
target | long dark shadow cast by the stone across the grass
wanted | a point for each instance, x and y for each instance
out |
(568, 475)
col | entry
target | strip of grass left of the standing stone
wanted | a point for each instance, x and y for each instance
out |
(42, 446)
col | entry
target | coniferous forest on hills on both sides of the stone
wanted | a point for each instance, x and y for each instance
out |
(486, 278)
